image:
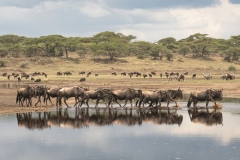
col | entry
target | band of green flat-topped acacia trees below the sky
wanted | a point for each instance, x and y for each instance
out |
(113, 45)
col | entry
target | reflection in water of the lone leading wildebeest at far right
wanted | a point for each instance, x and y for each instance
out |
(205, 116)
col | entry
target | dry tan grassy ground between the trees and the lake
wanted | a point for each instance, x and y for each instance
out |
(214, 65)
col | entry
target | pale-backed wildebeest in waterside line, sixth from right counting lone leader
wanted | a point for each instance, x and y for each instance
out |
(68, 92)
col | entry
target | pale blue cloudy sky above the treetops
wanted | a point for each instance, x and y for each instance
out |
(148, 20)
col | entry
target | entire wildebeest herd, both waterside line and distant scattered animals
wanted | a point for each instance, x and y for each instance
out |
(109, 96)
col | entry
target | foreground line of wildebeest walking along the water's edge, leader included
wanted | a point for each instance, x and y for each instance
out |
(109, 97)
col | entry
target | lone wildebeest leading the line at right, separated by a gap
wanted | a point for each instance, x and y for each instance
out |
(206, 95)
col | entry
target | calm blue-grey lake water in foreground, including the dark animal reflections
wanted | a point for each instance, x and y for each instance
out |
(123, 134)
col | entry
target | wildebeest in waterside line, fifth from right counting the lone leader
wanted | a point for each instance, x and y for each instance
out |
(98, 94)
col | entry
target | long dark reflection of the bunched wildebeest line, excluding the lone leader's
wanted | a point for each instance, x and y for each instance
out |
(85, 117)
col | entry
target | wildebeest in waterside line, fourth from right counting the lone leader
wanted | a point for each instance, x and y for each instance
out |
(126, 94)
